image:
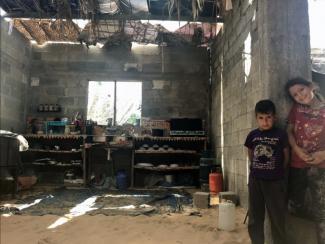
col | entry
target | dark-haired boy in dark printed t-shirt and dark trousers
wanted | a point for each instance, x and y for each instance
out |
(268, 154)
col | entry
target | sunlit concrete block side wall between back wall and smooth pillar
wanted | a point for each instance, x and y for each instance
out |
(234, 93)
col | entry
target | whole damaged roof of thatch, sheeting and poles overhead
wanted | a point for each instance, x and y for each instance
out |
(114, 22)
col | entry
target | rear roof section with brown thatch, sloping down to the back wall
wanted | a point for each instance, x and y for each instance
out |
(105, 30)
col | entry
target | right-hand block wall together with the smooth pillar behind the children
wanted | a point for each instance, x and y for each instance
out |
(280, 50)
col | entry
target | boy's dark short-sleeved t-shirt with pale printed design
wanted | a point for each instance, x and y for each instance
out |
(267, 147)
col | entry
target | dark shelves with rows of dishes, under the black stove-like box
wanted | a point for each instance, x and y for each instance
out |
(174, 156)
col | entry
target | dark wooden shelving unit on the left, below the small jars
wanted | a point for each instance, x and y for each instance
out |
(52, 156)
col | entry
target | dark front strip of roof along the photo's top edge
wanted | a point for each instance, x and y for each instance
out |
(204, 10)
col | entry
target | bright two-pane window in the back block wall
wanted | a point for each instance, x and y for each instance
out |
(119, 102)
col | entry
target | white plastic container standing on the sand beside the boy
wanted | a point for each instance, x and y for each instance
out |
(226, 219)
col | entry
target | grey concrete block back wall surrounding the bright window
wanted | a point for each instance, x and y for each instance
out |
(64, 71)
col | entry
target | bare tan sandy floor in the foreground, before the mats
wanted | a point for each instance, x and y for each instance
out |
(167, 228)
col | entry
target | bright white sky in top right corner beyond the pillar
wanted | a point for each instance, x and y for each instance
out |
(316, 20)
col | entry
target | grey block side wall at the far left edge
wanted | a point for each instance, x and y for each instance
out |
(15, 53)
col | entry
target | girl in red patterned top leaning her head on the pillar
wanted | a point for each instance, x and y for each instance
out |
(306, 134)
